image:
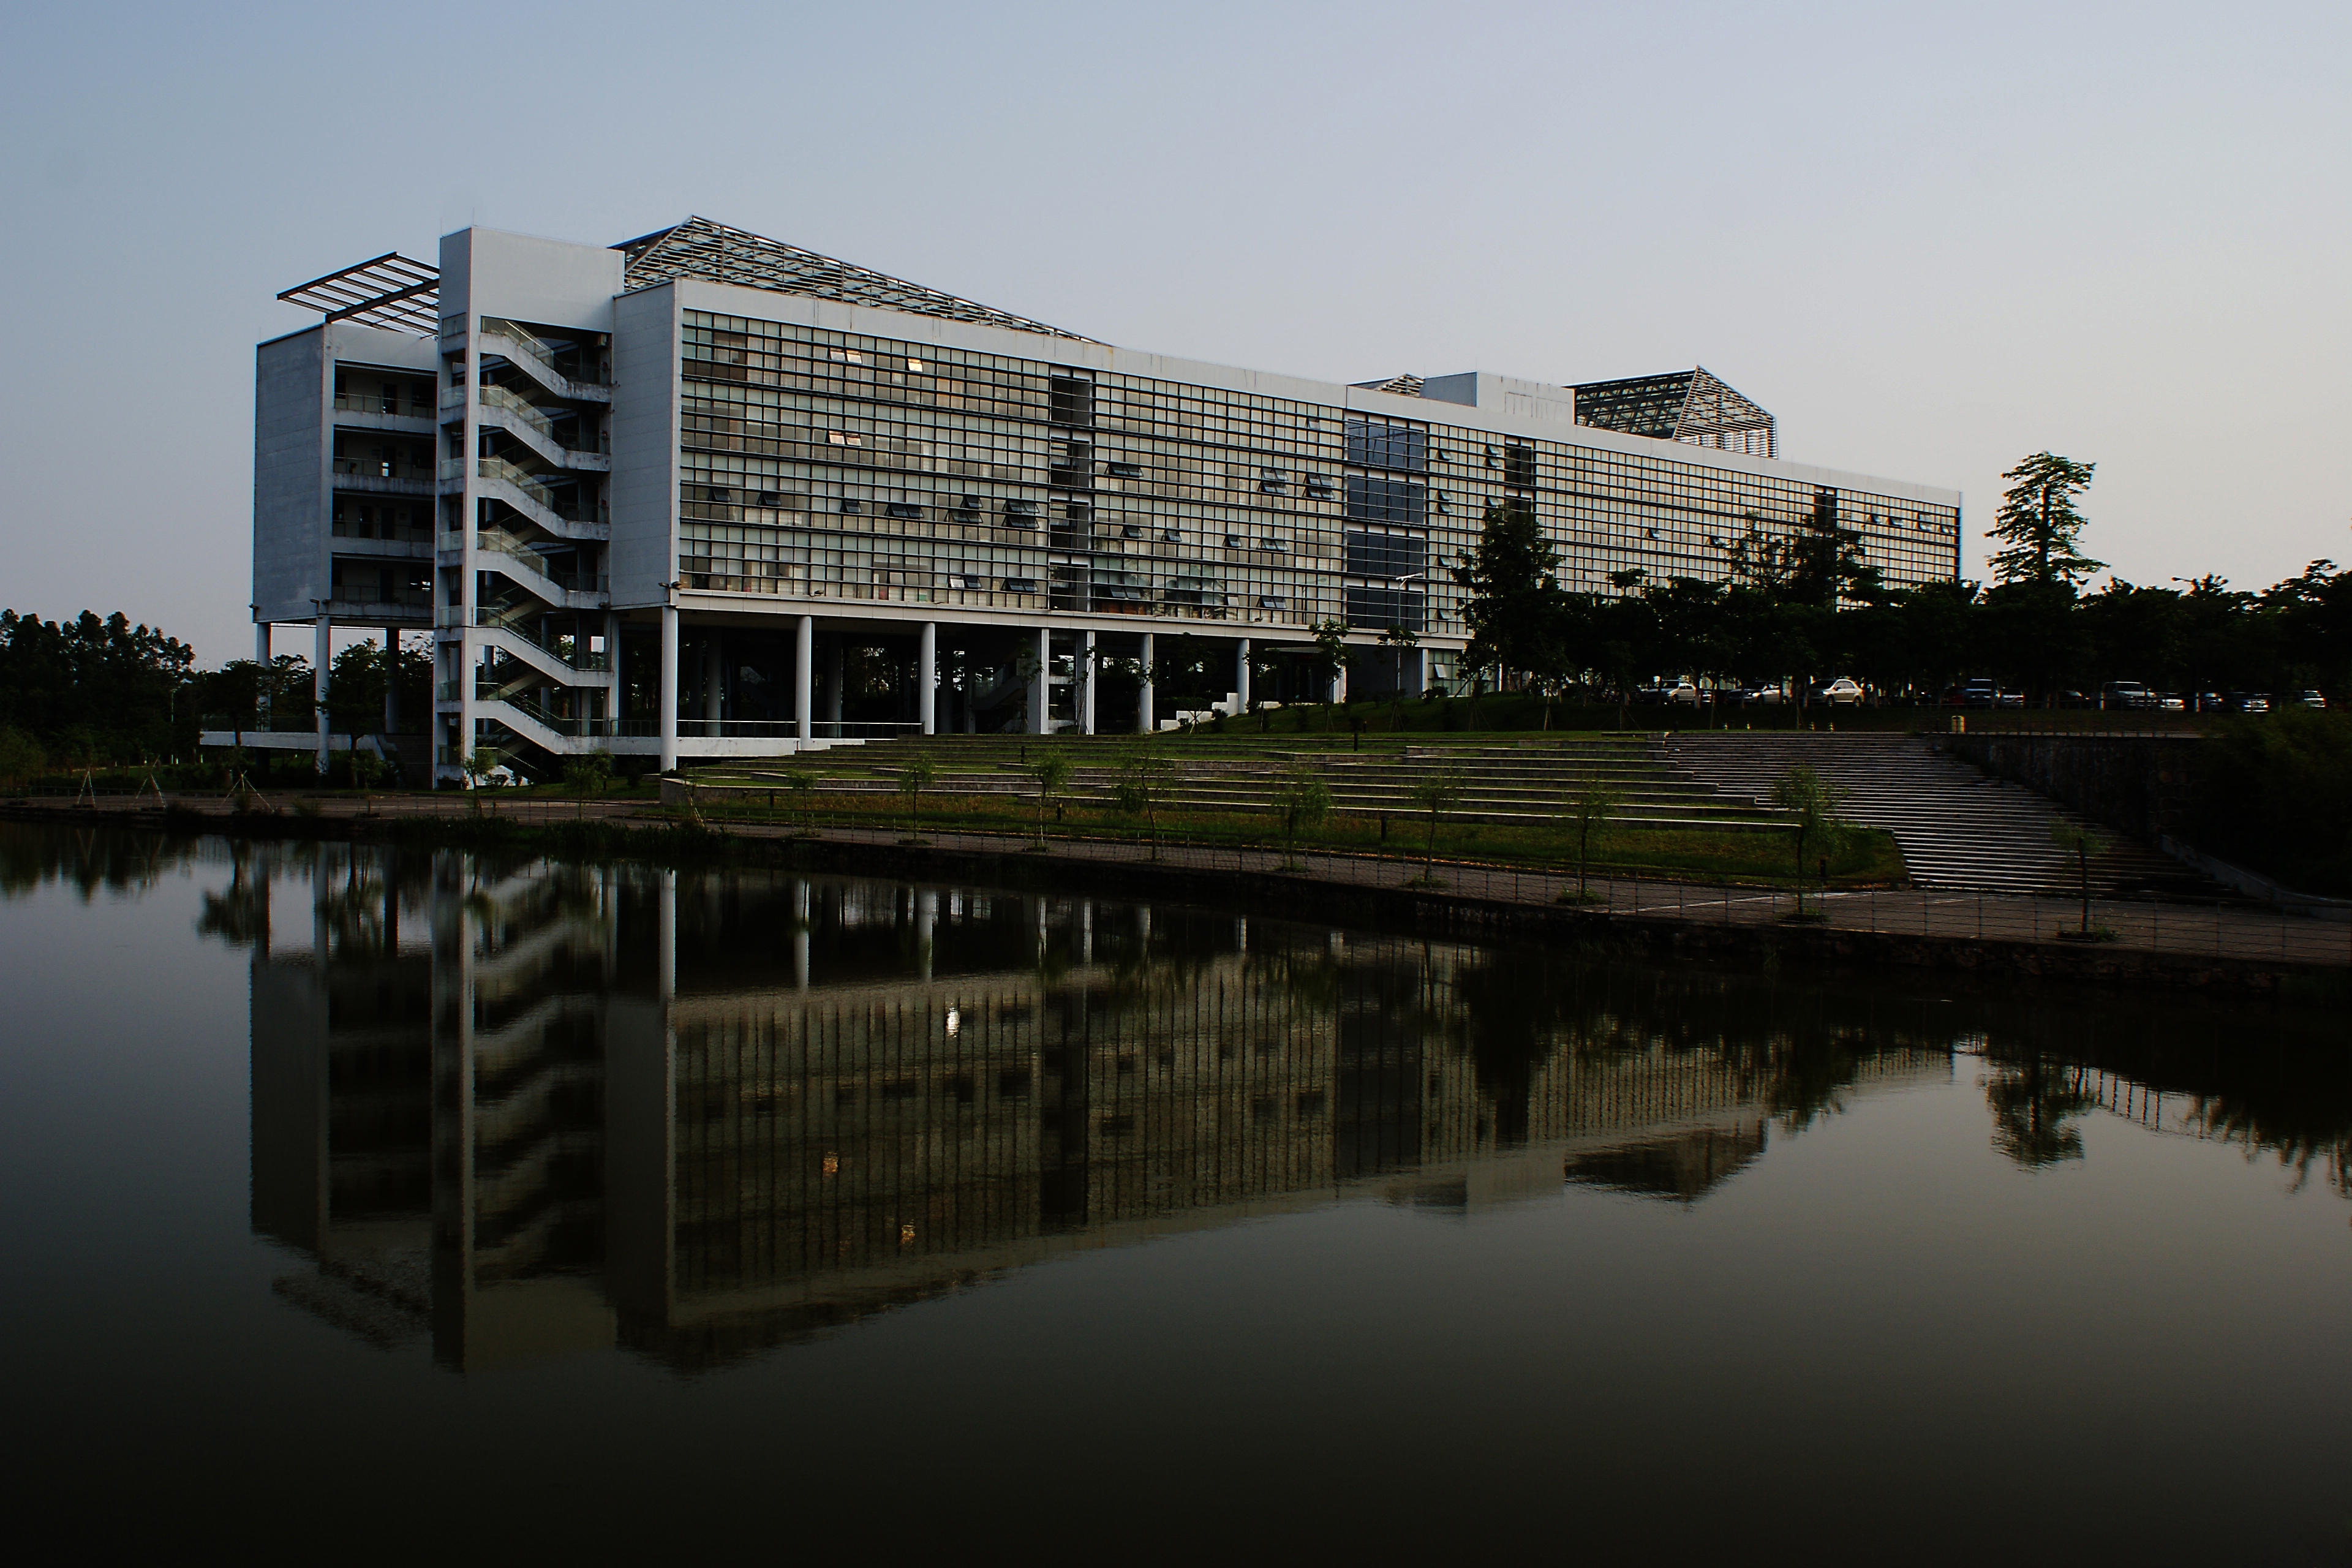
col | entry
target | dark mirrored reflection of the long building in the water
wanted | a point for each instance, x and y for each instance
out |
(547, 1108)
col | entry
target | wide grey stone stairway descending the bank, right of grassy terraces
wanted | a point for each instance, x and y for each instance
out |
(1958, 829)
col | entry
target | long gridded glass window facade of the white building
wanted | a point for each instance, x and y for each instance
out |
(834, 467)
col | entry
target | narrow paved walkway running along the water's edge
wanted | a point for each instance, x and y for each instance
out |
(2221, 930)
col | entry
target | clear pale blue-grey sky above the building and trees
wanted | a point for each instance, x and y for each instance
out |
(1927, 239)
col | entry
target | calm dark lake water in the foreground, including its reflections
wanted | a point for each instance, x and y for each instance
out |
(368, 1205)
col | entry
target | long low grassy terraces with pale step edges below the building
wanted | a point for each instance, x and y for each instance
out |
(1528, 782)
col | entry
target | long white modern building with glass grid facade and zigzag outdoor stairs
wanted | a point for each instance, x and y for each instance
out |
(707, 495)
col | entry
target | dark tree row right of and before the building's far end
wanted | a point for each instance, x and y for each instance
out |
(1808, 608)
